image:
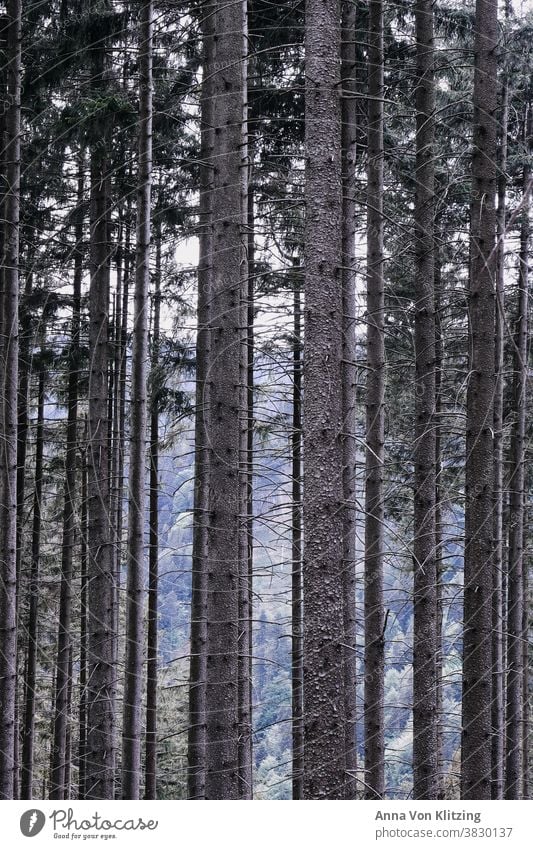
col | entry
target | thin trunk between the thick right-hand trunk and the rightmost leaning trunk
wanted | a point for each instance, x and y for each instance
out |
(497, 707)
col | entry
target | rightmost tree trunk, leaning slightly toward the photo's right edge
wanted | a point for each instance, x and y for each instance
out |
(514, 765)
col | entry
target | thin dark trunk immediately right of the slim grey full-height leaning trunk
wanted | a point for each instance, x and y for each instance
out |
(150, 788)
